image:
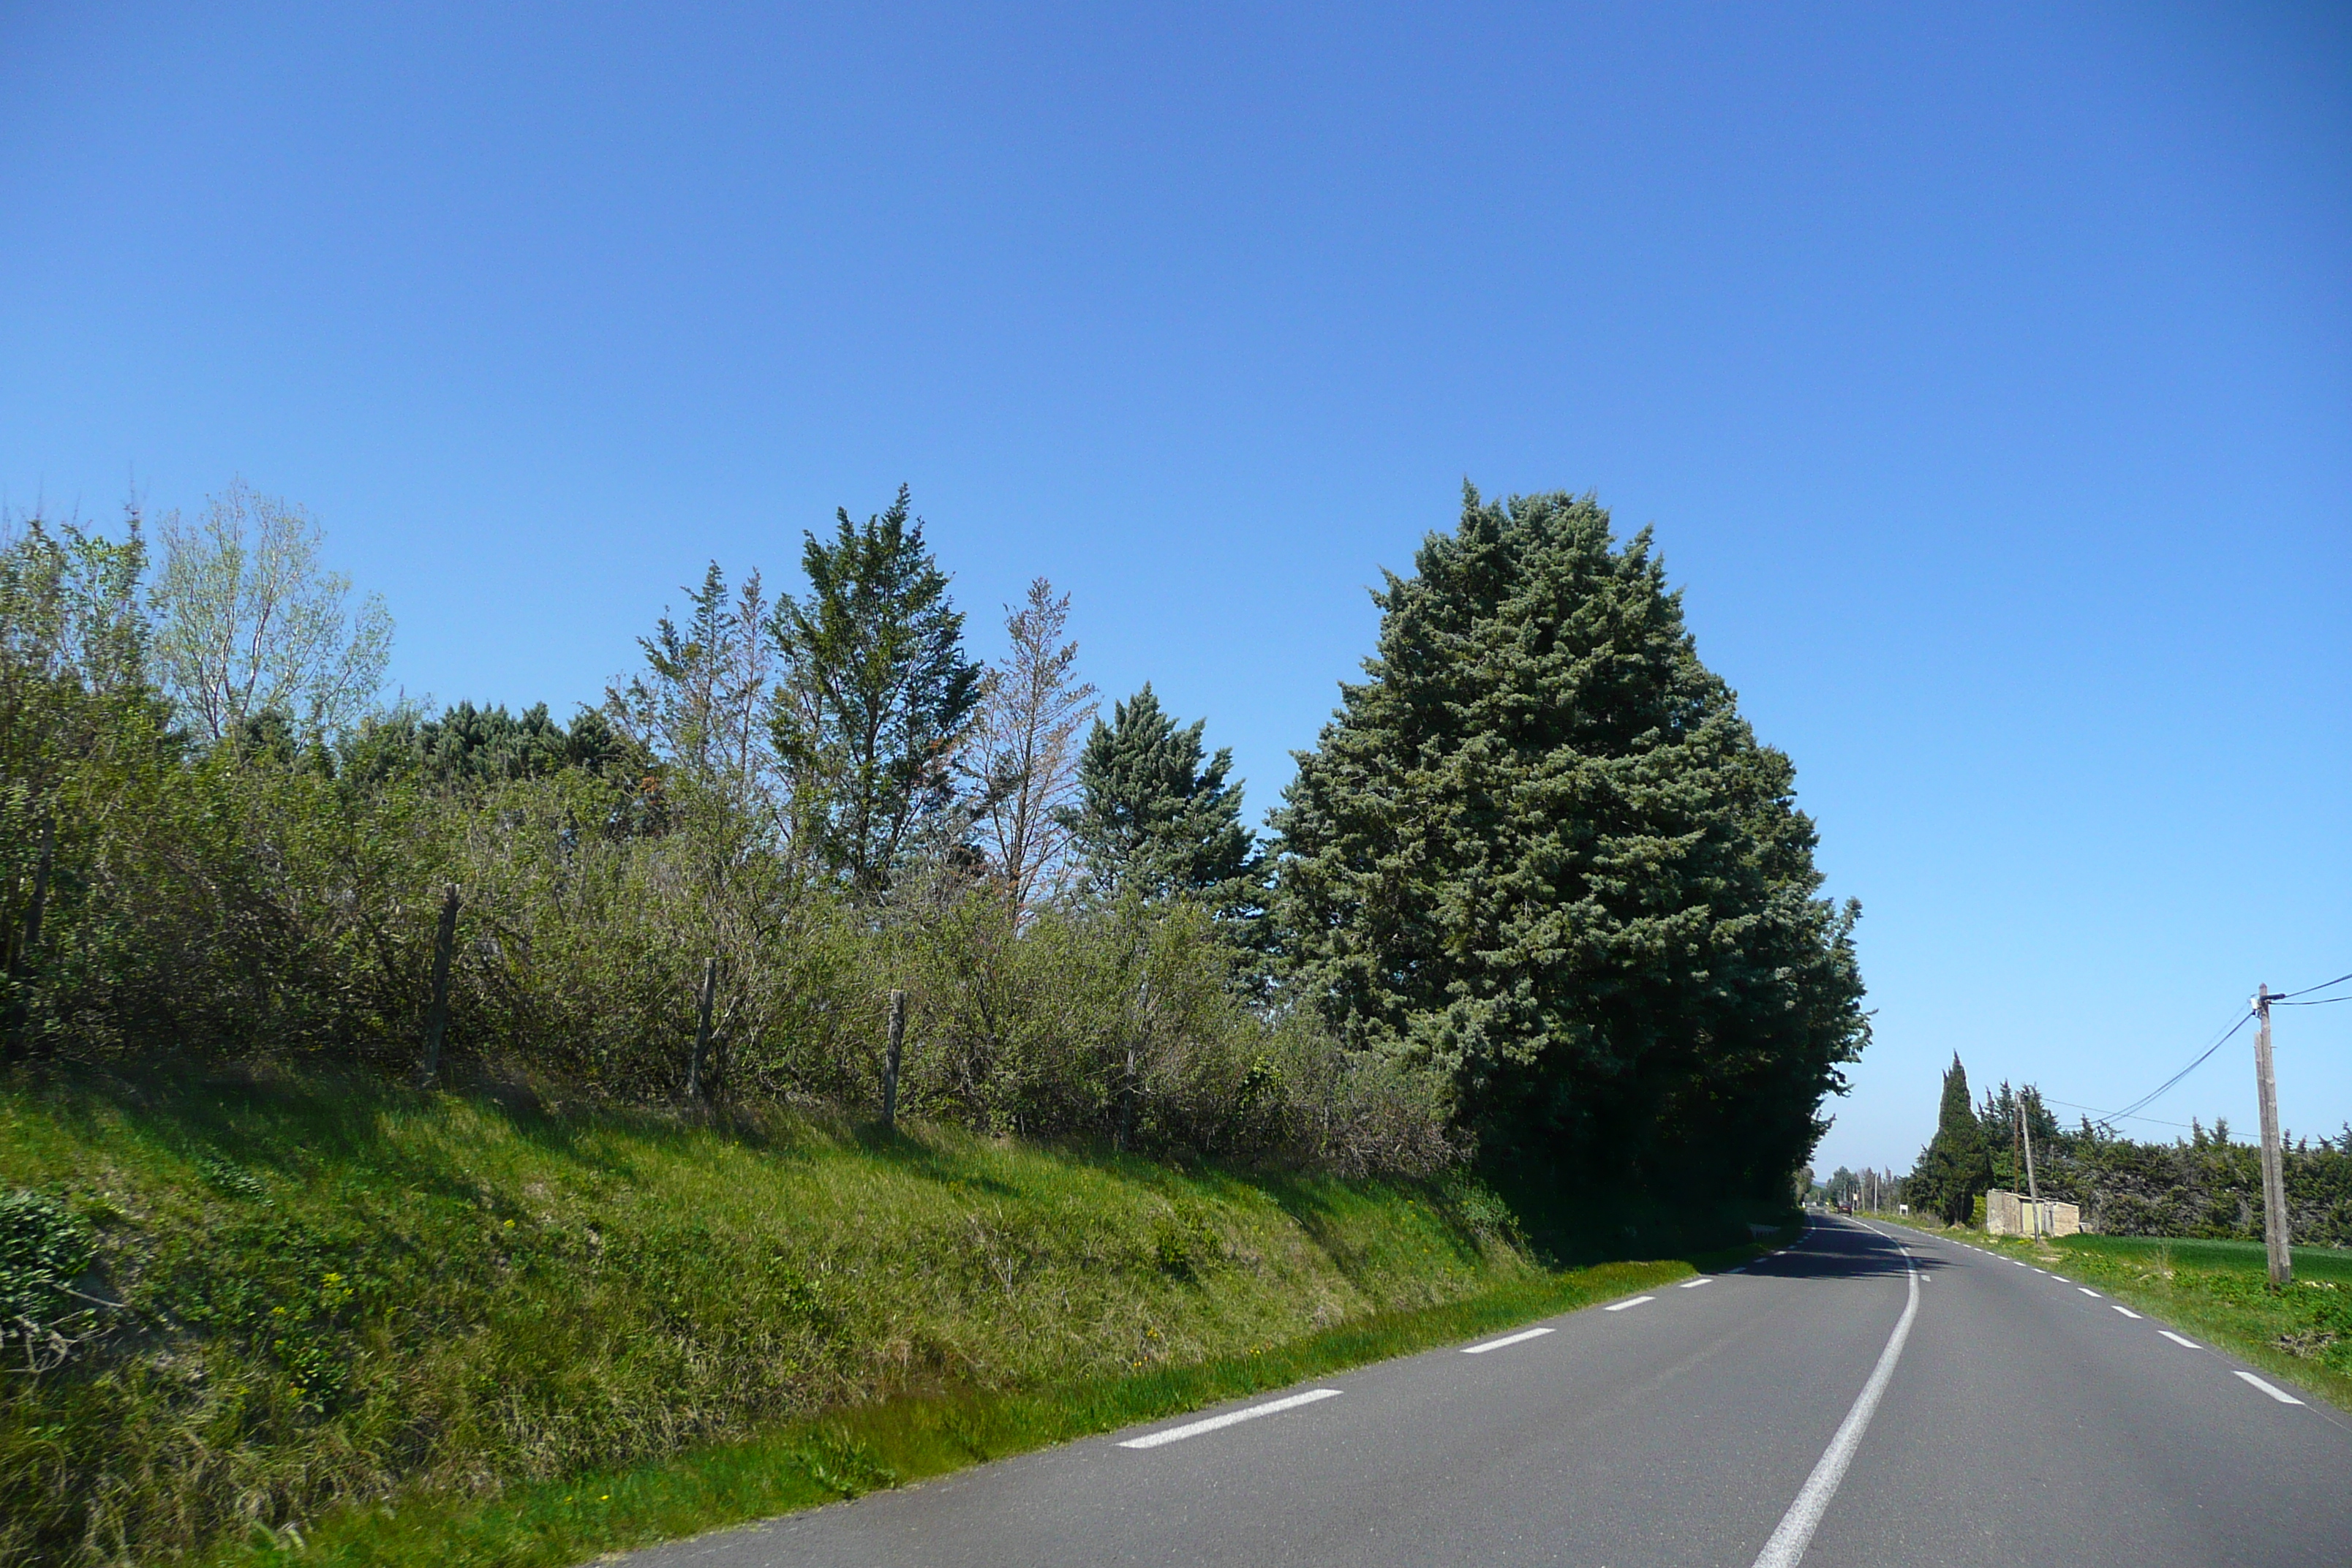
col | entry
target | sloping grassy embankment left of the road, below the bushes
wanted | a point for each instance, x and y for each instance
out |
(368, 1327)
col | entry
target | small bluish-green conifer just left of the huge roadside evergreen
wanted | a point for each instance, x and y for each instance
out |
(1156, 819)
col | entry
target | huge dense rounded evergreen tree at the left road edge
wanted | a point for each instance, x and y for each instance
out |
(1539, 850)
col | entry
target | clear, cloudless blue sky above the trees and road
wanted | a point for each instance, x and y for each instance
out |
(1986, 375)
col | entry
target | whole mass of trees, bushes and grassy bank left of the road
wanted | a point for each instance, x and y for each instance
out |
(420, 1104)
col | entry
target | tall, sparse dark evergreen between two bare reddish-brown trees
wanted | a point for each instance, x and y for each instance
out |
(876, 697)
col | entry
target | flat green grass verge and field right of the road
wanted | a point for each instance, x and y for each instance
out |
(2214, 1289)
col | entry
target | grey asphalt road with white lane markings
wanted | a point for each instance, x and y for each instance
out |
(1862, 1400)
